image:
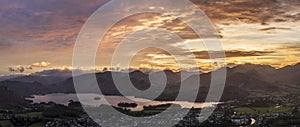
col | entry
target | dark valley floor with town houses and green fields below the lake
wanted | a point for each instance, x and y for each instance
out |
(256, 111)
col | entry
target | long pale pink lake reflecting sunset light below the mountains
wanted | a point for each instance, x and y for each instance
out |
(97, 100)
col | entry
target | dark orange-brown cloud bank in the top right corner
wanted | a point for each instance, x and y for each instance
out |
(250, 11)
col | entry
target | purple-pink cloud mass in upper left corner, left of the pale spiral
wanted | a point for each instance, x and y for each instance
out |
(48, 24)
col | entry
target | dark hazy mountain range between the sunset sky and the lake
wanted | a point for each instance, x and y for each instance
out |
(241, 80)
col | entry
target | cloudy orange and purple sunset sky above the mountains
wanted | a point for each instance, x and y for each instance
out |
(38, 35)
